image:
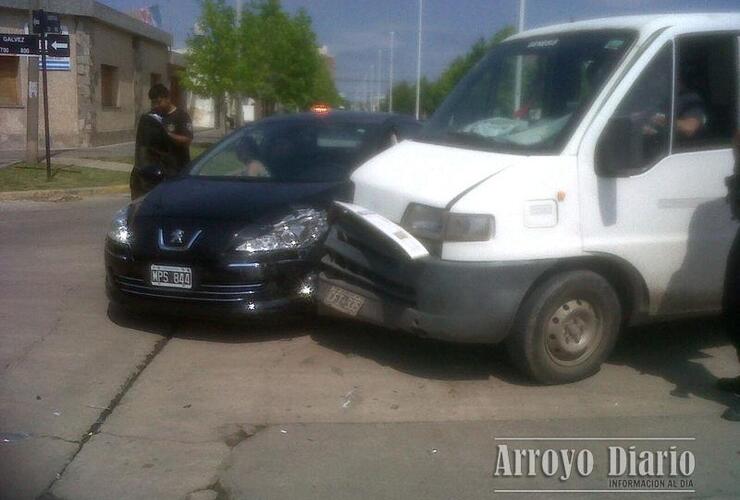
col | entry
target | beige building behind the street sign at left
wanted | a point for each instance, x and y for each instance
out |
(97, 94)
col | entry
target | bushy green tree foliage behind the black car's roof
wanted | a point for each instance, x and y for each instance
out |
(270, 56)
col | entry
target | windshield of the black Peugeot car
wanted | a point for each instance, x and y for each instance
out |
(290, 151)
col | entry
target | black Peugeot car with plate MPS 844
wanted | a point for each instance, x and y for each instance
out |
(239, 232)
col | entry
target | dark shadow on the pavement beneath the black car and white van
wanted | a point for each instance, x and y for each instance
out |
(671, 351)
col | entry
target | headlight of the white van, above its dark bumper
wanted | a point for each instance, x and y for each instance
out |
(437, 224)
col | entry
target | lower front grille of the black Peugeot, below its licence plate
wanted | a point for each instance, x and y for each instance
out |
(203, 292)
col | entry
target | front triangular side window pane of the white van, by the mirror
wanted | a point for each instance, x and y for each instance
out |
(638, 135)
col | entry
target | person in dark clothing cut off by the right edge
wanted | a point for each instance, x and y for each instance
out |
(732, 285)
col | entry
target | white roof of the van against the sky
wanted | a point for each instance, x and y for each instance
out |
(645, 25)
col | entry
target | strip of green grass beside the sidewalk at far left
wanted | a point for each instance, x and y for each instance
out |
(25, 177)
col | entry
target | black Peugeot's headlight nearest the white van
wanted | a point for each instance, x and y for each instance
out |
(300, 229)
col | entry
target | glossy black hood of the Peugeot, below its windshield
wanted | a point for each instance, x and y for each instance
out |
(194, 198)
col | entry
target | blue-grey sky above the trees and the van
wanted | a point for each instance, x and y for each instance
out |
(356, 30)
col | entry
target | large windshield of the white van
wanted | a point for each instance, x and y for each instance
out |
(528, 95)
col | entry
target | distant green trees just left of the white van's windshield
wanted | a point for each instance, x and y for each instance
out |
(433, 93)
